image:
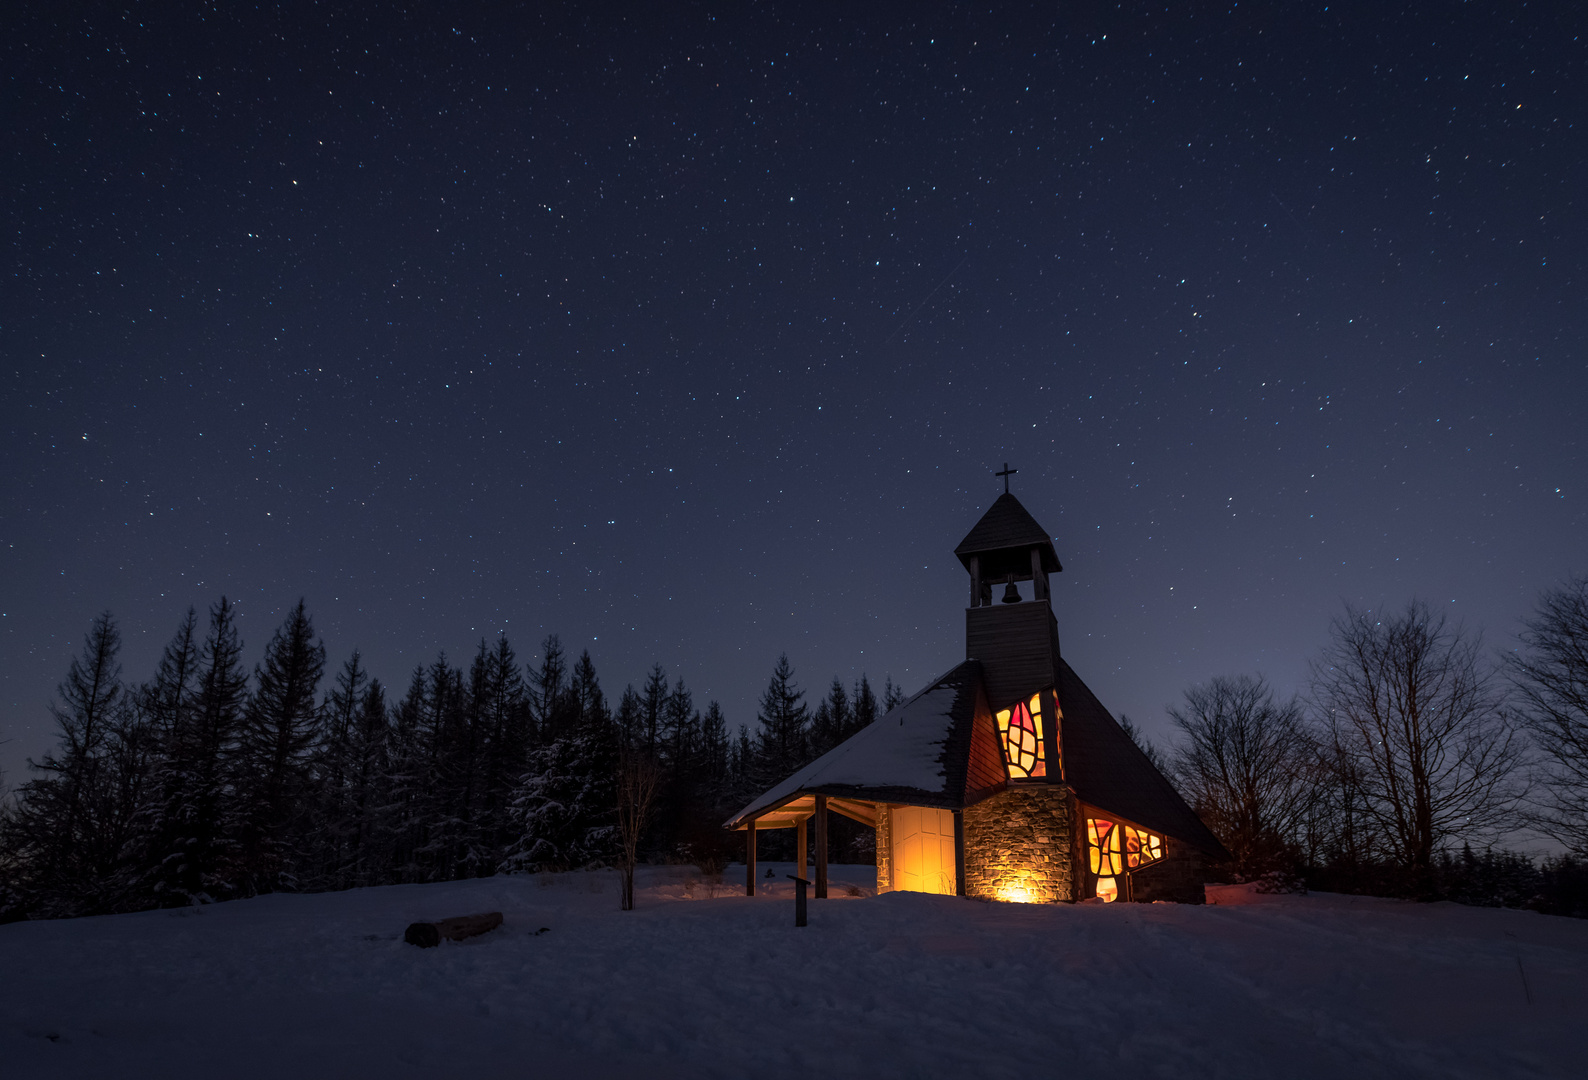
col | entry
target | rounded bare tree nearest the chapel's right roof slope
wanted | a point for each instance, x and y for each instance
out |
(1246, 766)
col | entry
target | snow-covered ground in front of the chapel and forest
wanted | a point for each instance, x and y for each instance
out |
(725, 985)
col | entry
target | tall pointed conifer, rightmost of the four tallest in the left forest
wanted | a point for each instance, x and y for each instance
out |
(280, 730)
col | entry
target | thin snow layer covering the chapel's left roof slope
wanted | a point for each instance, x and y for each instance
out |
(901, 750)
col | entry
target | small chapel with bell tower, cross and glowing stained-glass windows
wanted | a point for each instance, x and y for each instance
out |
(1004, 777)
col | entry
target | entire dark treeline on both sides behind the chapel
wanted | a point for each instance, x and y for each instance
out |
(1411, 757)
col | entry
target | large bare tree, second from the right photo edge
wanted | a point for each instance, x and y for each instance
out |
(1417, 722)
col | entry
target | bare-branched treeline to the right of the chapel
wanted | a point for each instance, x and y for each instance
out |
(1411, 757)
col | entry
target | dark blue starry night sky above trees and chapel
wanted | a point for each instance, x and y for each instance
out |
(695, 334)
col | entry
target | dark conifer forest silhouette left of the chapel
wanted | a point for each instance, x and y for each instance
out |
(209, 784)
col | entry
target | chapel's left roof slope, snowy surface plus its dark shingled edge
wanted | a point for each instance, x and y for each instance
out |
(917, 754)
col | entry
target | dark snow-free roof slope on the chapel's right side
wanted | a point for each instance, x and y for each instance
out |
(1111, 773)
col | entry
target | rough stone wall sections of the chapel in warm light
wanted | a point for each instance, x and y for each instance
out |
(1019, 844)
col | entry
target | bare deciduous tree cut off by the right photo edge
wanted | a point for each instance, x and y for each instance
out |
(1552, 681)
